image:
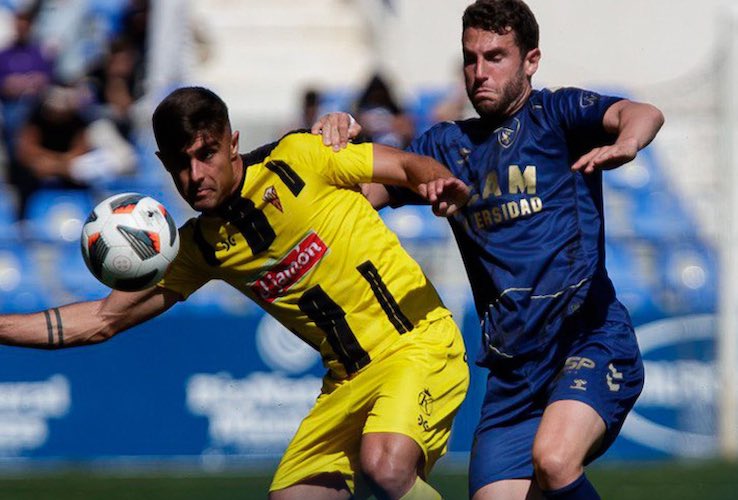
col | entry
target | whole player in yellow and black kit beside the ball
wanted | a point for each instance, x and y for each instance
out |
(287, 226)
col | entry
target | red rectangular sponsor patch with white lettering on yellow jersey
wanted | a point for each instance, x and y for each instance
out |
(296, 264)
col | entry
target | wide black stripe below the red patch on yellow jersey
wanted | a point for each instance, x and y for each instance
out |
(329, 317)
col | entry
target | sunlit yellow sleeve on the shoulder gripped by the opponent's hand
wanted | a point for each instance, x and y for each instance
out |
(348, 167)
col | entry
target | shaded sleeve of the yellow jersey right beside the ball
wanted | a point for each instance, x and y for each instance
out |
(188, 272)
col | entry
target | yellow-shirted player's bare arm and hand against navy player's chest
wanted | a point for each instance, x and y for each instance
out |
(424, 175)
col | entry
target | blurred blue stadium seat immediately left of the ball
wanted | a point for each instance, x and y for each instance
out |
(56, 215)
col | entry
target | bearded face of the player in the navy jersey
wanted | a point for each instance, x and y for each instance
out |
(496, 74)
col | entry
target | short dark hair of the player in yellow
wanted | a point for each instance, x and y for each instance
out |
(186, 113)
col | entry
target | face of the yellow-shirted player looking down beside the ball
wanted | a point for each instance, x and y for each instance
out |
(207, 172)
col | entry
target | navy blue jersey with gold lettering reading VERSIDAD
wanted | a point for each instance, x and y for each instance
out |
(532, 236)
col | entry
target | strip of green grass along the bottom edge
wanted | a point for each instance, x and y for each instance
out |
(694, 481)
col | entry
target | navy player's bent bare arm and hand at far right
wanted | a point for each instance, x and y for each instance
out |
(635, 124)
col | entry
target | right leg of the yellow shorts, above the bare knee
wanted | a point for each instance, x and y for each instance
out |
(423, 383)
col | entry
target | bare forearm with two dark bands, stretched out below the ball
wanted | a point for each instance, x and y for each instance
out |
(84, 323)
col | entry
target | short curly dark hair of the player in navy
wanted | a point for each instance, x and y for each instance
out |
(502, 16)
